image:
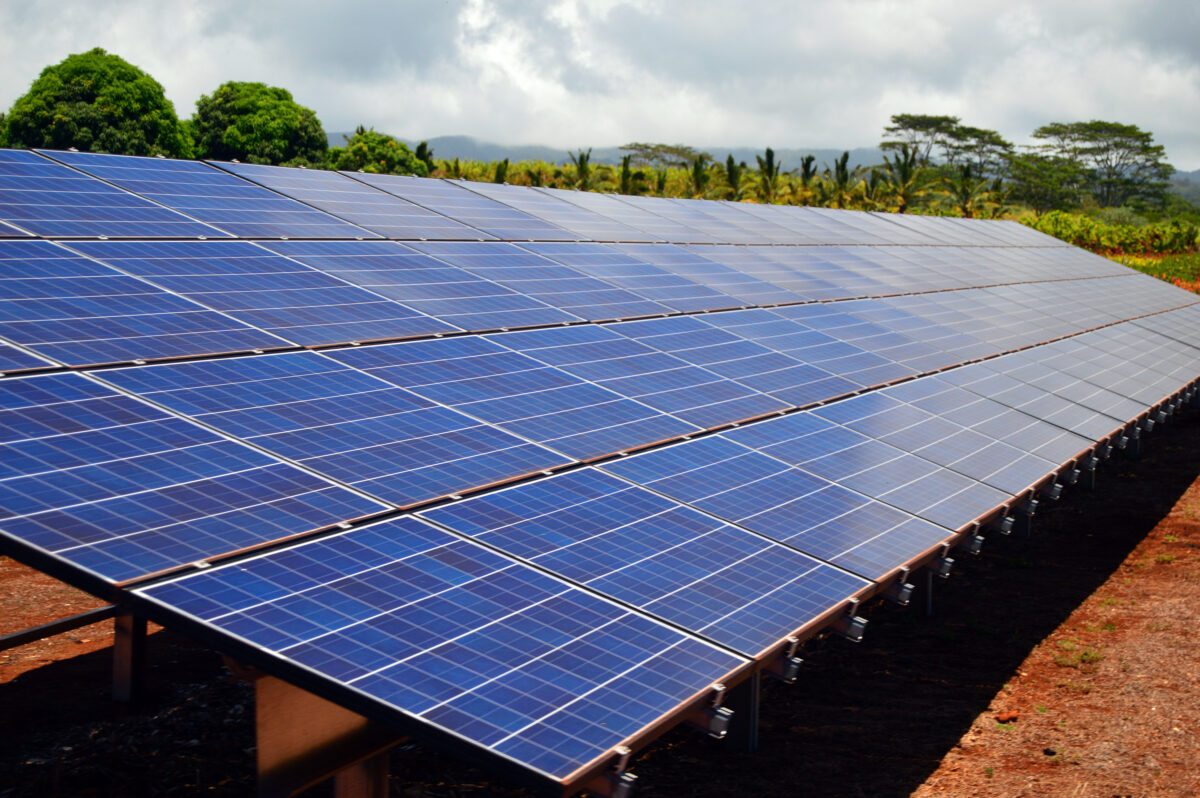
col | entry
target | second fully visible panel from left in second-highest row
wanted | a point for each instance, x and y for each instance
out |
(424, 284)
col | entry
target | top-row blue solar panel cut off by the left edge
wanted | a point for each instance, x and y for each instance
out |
(50, 200)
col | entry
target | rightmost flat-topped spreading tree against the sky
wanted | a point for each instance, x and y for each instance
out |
(1121, 163)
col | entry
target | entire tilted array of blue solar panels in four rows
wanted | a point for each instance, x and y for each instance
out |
(529, 471)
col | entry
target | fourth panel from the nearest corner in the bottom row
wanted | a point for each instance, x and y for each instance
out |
(874, 469)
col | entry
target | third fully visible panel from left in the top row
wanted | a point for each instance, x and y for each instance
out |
(467, 207)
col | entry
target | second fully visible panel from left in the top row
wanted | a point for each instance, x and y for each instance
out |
(356, 202)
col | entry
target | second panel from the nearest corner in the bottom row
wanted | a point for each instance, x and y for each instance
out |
(657, 556)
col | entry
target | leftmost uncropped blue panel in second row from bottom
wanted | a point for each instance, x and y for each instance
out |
(344, 424)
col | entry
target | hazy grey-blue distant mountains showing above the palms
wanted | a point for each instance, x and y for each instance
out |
(472, 149)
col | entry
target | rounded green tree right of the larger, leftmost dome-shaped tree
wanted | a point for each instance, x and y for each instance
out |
(259, 124)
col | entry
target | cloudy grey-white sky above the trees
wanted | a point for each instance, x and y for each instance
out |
(578, 74)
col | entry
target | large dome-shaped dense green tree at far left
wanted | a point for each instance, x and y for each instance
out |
(97, 103)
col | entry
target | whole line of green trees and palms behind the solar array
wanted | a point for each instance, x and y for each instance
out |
(98, 101)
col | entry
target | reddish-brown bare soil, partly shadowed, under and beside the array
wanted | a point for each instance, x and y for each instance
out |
(1064, 664)
